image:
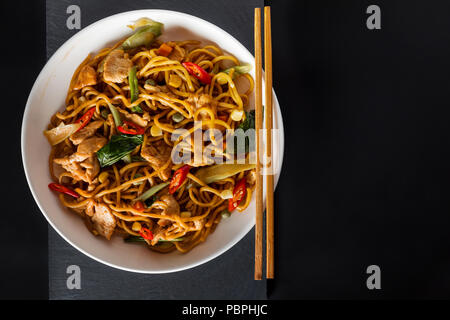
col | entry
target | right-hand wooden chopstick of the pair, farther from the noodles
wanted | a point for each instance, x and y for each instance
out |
(268, 121)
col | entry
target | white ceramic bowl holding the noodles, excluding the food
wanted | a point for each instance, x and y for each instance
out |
(47, 96)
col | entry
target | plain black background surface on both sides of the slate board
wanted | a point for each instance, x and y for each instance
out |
(366, 168)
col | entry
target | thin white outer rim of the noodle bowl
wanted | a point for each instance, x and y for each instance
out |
(25, 120)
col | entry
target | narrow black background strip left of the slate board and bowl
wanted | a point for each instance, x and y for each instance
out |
(23, 233)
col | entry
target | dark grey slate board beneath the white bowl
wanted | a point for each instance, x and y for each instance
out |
(229, 276)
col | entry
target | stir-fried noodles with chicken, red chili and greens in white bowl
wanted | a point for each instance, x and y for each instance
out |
(114, 145)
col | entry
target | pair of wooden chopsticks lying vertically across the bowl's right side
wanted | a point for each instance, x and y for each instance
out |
(268, 149)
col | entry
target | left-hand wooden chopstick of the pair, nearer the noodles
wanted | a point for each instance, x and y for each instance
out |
(258, 126)
